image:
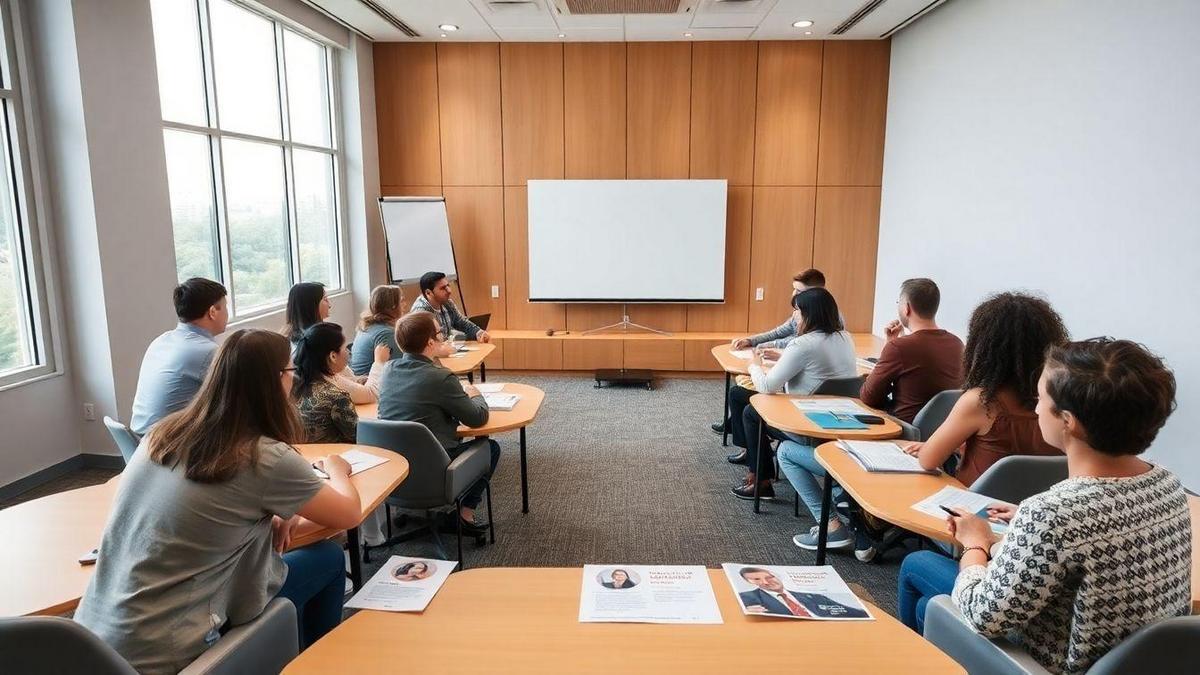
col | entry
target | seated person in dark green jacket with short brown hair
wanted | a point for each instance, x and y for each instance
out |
(416, 389)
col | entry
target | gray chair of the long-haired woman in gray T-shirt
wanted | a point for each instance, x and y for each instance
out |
(52, 646)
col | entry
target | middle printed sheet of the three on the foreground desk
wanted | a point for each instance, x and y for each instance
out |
(645, 594)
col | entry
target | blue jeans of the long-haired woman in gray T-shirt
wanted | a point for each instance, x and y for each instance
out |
(316, 586)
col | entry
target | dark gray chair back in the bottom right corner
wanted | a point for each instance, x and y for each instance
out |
(1165, 648)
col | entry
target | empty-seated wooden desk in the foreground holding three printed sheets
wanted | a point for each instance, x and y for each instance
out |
(526, 620)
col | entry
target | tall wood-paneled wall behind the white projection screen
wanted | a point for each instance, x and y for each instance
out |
(796, 128)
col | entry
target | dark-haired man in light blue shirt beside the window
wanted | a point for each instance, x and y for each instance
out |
(177, 362)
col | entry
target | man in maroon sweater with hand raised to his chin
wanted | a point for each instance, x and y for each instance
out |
(914, 368)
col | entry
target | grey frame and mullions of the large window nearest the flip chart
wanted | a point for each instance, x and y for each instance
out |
(215, 136)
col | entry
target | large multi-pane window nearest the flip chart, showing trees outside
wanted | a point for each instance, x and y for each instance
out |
(251, 151)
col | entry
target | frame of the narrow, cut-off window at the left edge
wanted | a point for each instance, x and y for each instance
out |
(32, 247)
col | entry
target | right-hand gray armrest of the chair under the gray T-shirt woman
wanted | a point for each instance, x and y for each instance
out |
(265, 646)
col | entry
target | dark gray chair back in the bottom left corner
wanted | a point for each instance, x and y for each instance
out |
(50, 646)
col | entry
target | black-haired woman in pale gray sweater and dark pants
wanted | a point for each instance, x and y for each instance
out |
(821, 351)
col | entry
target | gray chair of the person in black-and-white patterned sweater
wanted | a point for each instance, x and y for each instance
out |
(1165, 648)
